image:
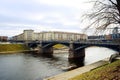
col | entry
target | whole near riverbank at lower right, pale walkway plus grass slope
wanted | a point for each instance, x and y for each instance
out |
(100, 70)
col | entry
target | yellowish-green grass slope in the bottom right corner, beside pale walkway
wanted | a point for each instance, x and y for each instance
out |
(106, 72)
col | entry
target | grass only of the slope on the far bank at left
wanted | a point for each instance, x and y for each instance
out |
(12, 47)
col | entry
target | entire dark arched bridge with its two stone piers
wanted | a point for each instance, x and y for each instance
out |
(76, 48)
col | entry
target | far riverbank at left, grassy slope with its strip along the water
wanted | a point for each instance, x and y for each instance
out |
(13, 48)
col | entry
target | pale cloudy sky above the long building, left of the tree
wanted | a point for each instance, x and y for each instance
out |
(42, 15)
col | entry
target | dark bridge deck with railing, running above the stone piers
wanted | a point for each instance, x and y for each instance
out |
(77, 45)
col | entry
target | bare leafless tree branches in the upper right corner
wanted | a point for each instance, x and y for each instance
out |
(106, 14)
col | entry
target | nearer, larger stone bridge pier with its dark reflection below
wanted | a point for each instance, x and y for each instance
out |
(76, 57)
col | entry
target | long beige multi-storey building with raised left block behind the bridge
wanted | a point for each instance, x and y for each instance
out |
(51, 35)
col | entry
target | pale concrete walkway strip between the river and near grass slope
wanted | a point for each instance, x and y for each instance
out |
(73, 73)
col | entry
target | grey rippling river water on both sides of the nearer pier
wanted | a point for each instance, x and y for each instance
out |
(22, 66)
